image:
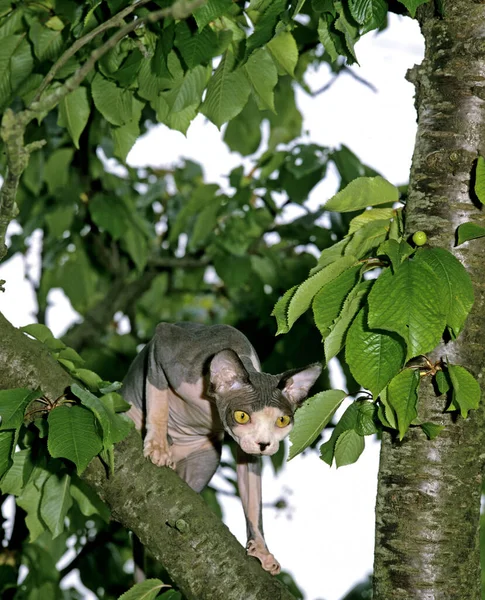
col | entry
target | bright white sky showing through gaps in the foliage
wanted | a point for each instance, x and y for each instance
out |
(326, 539)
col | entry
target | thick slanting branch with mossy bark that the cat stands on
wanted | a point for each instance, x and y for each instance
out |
(196, 548)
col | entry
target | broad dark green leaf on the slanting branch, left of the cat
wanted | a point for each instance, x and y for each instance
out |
(73, 435)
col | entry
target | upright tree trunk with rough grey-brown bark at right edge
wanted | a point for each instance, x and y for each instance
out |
(428, 499)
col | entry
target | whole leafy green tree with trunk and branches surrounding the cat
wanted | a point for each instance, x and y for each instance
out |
(84, 80)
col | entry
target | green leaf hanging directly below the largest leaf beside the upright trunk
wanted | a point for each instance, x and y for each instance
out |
(374, 356)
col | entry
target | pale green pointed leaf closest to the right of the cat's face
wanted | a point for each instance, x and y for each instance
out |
(311, 418)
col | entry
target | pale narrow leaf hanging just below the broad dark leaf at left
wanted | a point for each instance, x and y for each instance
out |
(56, 501)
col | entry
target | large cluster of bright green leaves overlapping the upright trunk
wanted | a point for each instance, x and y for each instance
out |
(385, 305)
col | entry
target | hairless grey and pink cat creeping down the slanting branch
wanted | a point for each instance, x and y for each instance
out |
(189, 385)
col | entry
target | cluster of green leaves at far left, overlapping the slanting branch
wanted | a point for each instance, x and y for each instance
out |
(45, 444)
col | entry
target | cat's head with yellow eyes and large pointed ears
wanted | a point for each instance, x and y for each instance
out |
(257, 409)
